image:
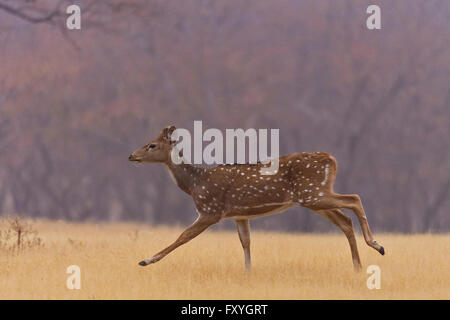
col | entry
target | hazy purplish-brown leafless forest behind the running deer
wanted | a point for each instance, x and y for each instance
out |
(74, 104)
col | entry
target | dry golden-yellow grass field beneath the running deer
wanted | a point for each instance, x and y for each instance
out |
(285, 266)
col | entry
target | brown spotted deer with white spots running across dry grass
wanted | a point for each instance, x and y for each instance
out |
(240, 192)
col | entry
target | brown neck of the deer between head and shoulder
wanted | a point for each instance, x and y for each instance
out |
(185, 176)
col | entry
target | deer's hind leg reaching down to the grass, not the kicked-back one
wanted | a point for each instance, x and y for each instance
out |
(344, 223)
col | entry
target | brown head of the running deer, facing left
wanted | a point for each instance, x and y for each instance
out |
(158, 150)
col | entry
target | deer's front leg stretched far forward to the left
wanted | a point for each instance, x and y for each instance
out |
(202, 222)
